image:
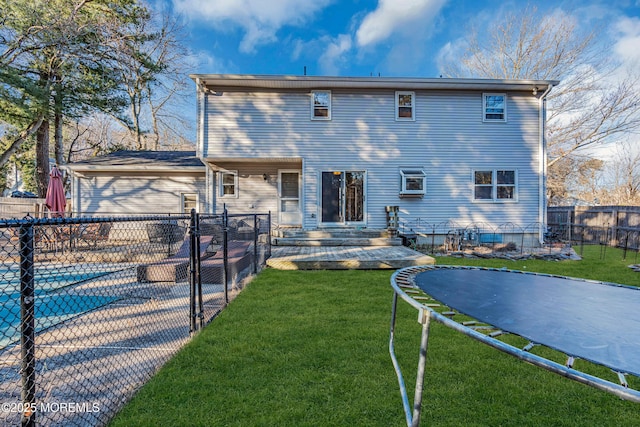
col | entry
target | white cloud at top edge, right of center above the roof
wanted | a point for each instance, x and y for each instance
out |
(393, 17)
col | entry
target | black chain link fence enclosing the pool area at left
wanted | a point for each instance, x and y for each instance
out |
(91, 308)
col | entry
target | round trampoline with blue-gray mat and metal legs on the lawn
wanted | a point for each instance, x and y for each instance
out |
(594, 321)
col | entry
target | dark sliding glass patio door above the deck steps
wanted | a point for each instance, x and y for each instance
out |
(342, 197)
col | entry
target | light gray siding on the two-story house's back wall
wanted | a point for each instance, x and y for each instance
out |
(448, 139)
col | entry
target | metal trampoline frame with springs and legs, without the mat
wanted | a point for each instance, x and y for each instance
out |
(404, 286)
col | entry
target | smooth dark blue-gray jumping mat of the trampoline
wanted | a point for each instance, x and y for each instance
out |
(594, 321)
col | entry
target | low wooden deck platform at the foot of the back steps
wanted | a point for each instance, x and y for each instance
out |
(345, 257)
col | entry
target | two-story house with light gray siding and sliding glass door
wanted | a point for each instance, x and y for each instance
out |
(335, 151)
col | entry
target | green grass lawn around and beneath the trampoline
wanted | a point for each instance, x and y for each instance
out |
(310, 348)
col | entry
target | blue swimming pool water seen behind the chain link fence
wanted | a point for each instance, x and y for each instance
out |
(55, 297)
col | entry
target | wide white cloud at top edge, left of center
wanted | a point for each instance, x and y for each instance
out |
(259, 19)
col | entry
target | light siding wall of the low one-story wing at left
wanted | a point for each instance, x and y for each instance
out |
(107, 193)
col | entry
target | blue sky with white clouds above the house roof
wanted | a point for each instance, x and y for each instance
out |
(366, 37)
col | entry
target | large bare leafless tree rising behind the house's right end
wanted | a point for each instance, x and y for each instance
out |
(589, 106)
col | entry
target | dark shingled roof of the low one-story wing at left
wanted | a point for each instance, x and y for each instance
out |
(141, 161)
